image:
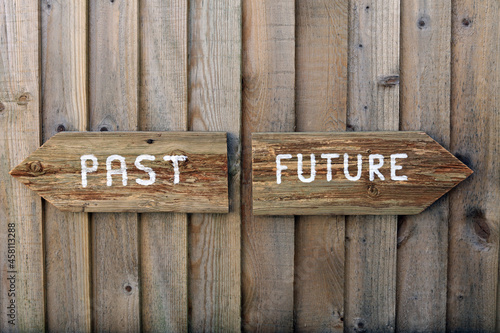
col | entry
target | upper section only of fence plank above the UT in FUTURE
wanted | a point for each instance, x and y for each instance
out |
(321, 65)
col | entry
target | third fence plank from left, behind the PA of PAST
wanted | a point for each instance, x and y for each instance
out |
(113, 73)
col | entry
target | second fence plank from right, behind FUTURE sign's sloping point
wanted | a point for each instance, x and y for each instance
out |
(425, 105)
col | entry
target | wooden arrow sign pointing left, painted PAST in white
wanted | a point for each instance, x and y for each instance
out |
(130, 172)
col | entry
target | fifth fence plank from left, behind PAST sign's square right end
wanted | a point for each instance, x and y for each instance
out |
(215, 105)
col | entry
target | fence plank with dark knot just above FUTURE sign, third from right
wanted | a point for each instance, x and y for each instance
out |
(373, 105)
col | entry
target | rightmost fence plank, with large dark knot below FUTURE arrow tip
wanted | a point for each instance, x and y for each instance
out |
(475, 128)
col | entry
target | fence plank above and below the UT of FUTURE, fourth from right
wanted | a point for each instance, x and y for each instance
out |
(321, 105)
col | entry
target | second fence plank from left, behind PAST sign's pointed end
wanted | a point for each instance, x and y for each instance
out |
(64, 107)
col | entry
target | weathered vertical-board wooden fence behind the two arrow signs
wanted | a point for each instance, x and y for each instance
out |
(242, 67)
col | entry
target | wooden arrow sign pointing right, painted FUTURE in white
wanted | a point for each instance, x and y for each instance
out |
(365, 173)
